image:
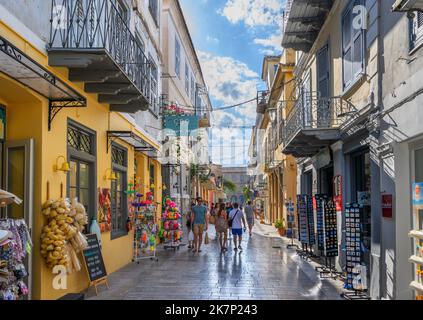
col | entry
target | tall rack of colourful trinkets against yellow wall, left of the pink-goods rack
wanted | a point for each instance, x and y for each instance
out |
(142, 220)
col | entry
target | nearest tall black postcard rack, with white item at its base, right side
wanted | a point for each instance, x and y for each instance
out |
(356, 282)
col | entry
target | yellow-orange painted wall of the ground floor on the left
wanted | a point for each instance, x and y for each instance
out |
(27, 115)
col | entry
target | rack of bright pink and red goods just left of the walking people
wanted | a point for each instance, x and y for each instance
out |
(171, 226)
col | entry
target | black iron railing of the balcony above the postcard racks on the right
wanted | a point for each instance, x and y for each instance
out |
(312, 114)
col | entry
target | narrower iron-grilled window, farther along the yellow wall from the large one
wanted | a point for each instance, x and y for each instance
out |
(119, 201)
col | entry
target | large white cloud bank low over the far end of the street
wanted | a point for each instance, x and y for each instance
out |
(230, 82)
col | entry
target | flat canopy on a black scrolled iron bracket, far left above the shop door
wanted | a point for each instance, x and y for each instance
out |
(17, 65)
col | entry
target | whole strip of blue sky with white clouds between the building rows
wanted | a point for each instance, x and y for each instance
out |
(231, 38)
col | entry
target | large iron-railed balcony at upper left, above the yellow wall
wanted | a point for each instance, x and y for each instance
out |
(92, 39)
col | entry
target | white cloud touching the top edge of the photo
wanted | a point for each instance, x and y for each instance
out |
(253, 12)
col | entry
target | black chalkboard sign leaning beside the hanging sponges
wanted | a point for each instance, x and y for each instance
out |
(94, 259)
